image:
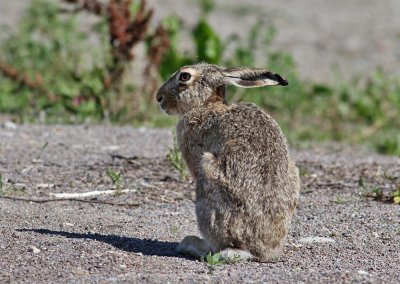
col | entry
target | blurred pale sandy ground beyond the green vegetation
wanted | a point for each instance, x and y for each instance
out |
(327, 38)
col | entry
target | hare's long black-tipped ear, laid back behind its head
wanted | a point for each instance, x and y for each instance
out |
(246, 77)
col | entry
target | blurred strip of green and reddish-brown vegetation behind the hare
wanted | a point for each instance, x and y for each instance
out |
(53, 70)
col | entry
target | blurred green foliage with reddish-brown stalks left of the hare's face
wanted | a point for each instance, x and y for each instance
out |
(50, 66)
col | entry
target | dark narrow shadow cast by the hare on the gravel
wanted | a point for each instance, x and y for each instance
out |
(129, 244)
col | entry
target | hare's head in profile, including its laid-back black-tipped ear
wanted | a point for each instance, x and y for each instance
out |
(193, 85)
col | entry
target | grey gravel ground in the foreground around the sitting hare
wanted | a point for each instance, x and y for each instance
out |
(131, 237)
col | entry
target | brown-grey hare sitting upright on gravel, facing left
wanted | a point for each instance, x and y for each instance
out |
(247, 186)
